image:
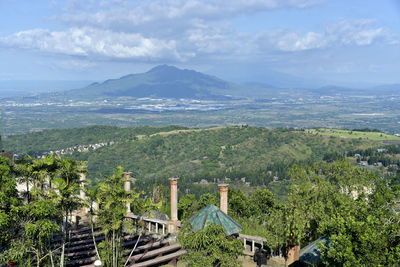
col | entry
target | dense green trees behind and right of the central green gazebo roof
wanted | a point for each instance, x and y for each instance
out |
(355, 209)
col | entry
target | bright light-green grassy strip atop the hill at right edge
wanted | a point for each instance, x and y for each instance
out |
(377, 136)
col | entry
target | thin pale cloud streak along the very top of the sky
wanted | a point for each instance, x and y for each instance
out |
(133, 13)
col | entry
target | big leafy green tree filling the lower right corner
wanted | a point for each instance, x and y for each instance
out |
(354, 208)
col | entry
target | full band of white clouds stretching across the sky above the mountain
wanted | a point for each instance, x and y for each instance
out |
(199, 40)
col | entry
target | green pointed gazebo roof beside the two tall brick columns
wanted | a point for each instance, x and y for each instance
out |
(212, 214)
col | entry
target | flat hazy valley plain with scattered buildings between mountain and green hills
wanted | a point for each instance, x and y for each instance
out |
(283, 108)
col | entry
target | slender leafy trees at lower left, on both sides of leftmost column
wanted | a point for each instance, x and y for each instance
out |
(34, 223)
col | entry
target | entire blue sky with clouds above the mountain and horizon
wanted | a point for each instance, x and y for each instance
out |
(342, 42)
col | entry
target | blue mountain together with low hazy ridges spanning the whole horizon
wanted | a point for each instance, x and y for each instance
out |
(166, 81)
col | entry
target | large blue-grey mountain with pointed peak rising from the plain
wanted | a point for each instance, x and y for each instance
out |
(162, 81)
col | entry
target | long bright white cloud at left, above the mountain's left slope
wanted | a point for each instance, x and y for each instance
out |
(92, 42)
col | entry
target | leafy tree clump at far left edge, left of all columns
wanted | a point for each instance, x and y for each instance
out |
(30, 222)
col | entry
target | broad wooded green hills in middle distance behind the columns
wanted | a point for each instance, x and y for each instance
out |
(156, 153)
